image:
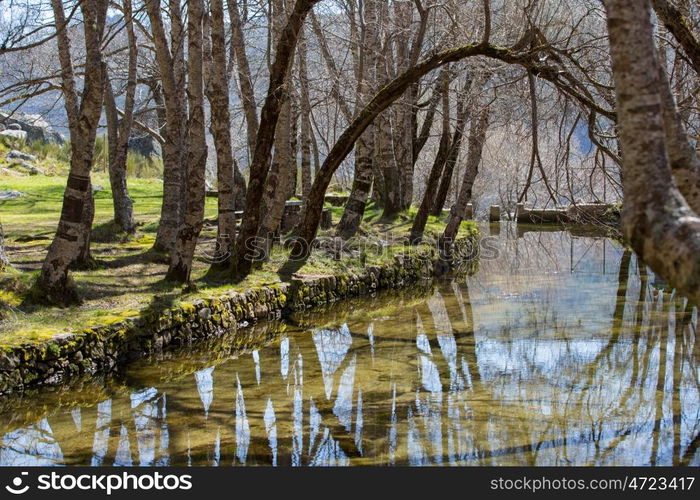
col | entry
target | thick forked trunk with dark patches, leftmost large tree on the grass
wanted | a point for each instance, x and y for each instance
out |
(53, 285)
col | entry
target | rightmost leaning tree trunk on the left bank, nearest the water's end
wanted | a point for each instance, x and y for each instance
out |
(477, 136)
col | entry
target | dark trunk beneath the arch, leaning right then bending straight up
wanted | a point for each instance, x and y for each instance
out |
(438, 165)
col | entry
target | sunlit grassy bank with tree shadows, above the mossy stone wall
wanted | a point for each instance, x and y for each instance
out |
(128, 276)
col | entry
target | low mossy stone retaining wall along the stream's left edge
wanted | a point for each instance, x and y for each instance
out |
(102, 349)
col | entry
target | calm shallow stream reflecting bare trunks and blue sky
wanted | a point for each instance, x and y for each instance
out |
(561, 351)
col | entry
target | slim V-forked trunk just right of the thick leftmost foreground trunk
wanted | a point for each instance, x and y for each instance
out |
(118, 133)
